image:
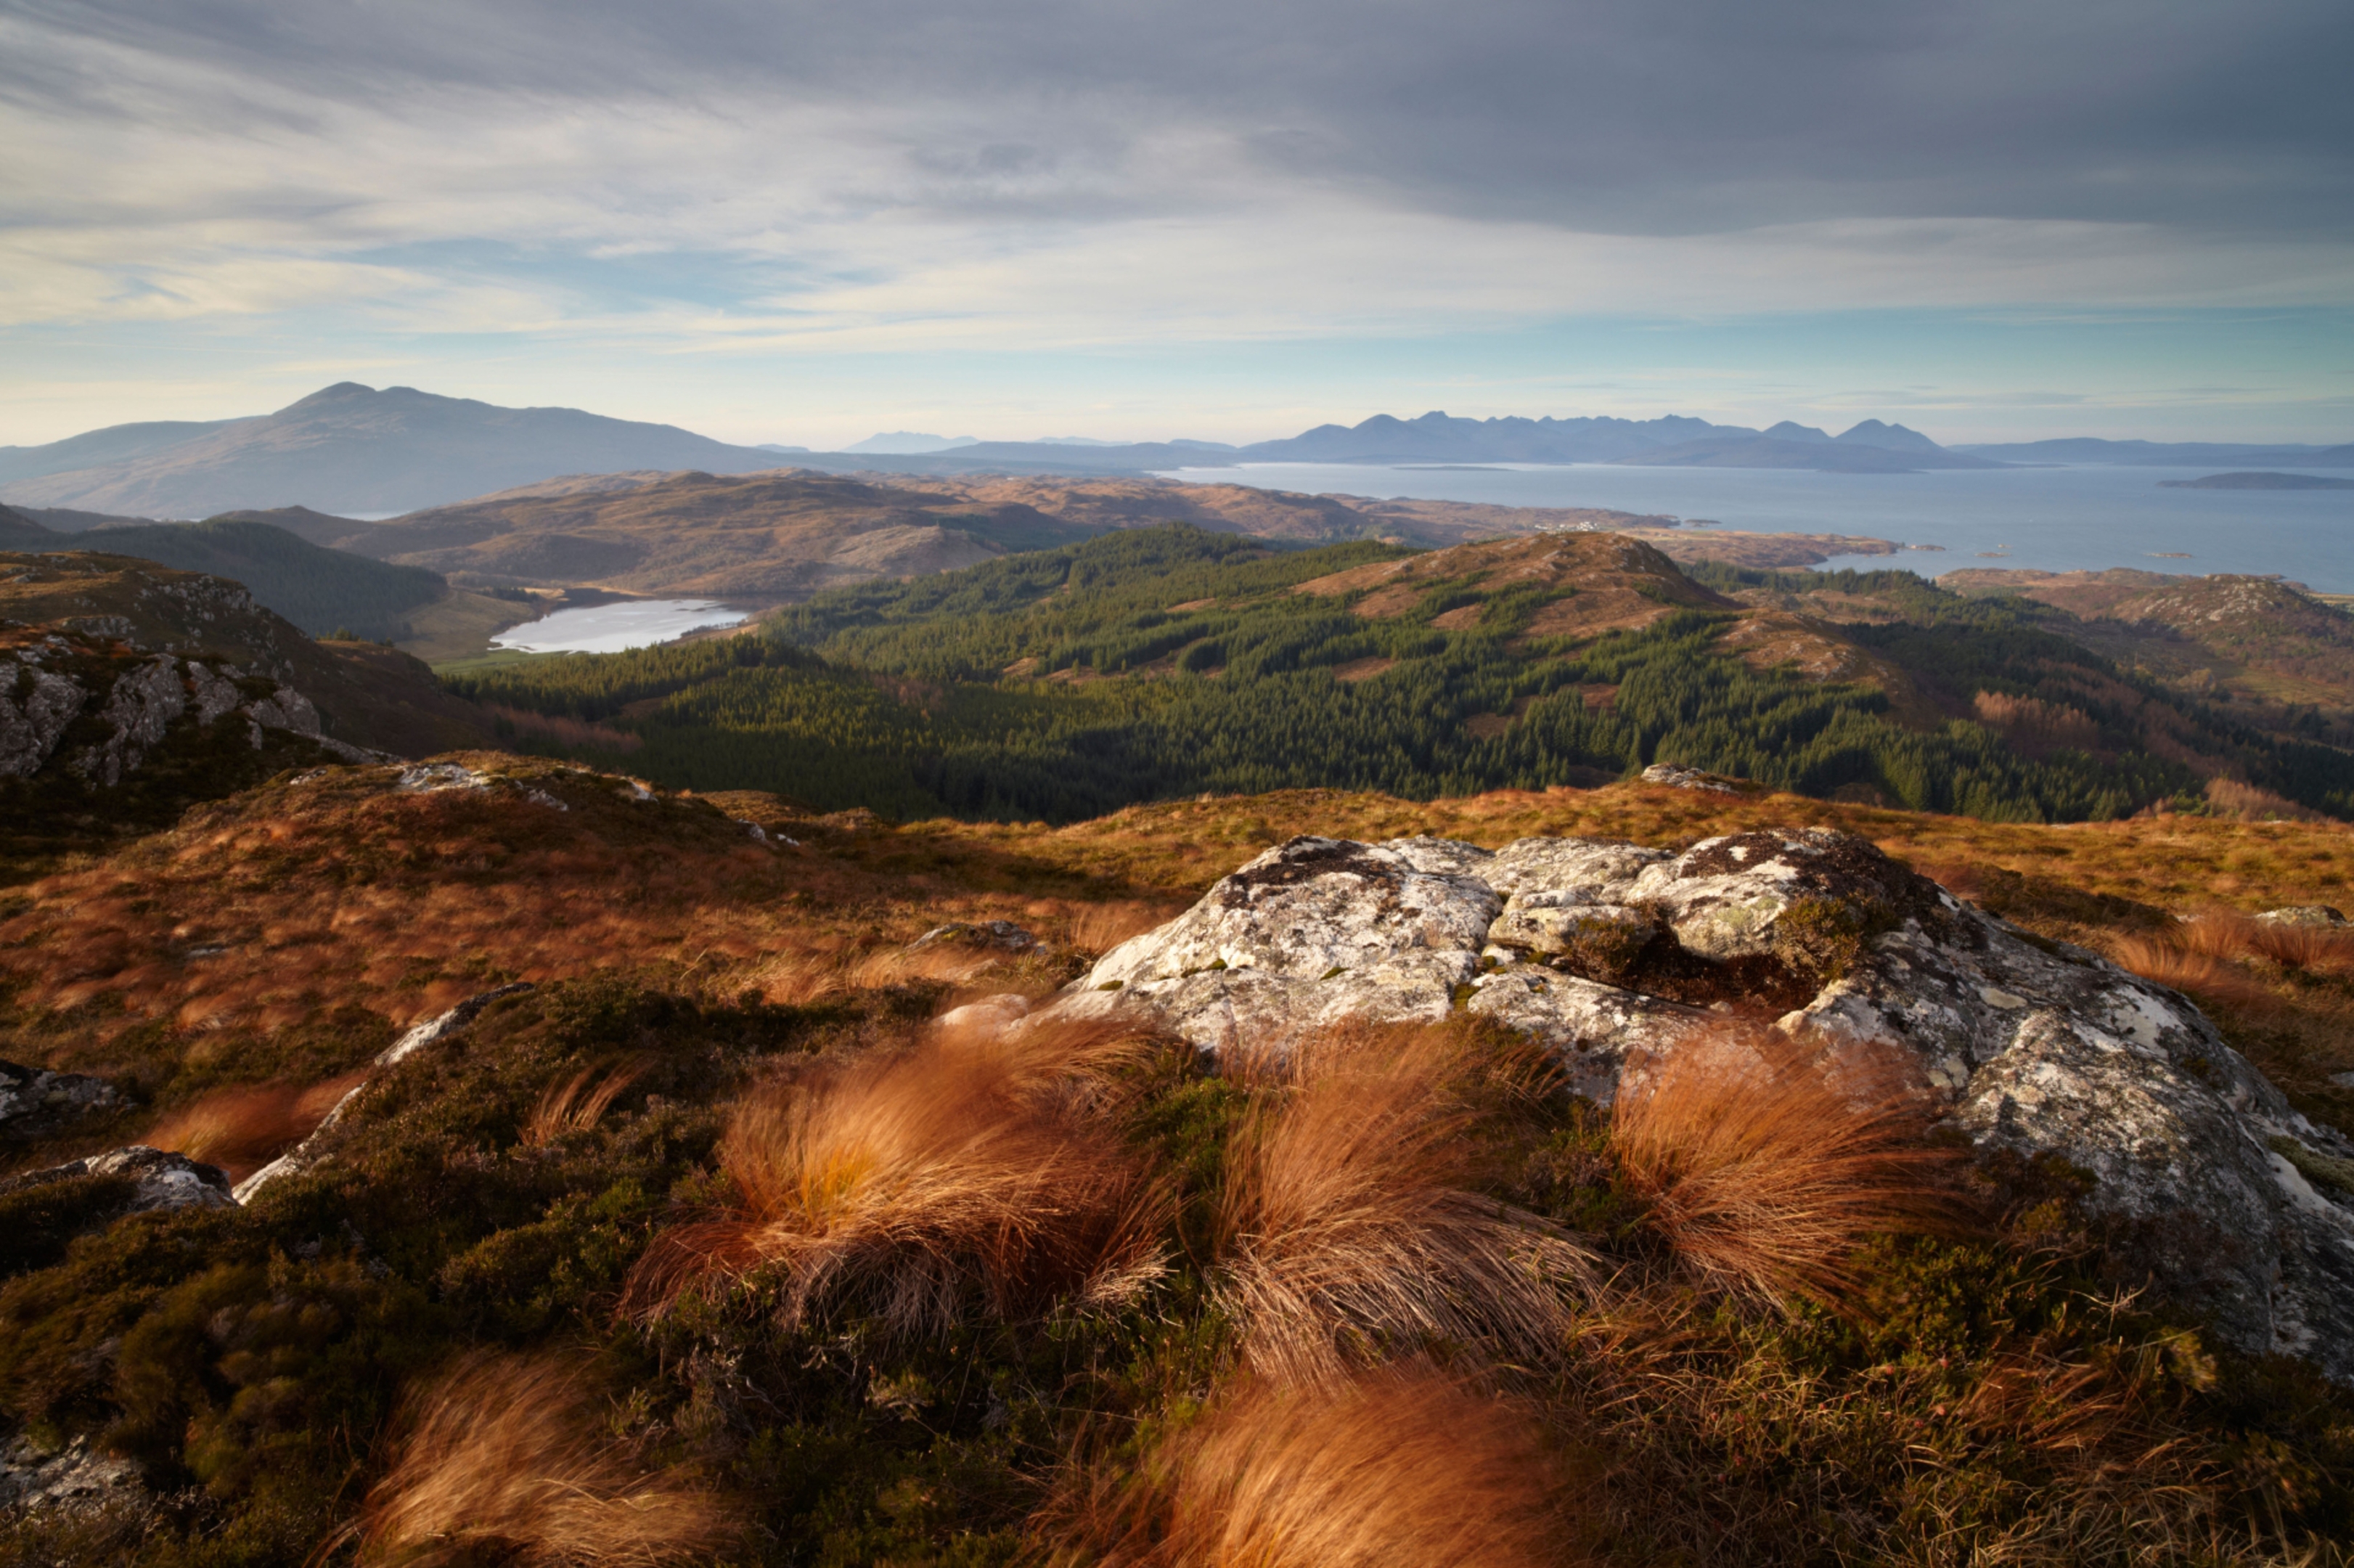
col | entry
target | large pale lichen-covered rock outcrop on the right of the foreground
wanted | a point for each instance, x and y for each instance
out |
(1609, 952)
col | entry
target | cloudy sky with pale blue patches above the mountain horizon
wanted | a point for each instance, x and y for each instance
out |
(1225, 220)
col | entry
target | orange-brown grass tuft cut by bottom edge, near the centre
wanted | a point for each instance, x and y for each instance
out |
(1395, 1473)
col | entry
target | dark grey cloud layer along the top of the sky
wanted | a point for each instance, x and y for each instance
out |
(1618, 117)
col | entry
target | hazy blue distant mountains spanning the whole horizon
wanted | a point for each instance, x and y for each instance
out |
(359, 451)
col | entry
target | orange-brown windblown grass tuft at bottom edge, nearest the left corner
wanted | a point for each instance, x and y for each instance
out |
(507, 1459)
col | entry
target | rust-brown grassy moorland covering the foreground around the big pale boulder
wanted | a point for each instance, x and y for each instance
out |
(434, 1322)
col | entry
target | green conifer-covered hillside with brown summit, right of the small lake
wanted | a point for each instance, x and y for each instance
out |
(1171, 663)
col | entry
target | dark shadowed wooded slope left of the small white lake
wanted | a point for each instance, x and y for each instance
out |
(319, 590)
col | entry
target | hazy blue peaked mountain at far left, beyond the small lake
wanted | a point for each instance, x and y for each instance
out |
(357, 449)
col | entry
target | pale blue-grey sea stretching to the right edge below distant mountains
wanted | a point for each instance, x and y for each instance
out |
(2059, 519)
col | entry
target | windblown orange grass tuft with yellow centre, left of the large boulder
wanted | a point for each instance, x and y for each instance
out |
(915, 1178)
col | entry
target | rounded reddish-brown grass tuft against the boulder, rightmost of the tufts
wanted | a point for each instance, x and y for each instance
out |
(1764, 1174)
